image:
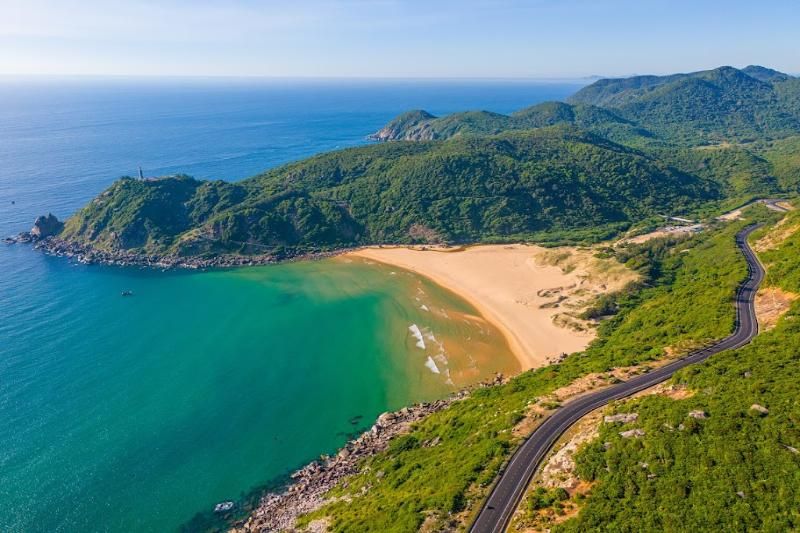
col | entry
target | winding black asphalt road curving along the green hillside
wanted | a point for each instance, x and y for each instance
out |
(499, 507)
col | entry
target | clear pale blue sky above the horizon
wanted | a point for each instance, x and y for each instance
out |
(395, 38)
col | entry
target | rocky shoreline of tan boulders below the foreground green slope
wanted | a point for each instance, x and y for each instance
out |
(279, 511)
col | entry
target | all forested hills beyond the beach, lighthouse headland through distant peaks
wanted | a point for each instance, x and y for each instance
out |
(621, 153)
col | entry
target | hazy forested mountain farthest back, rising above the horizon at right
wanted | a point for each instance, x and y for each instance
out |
(724, 104)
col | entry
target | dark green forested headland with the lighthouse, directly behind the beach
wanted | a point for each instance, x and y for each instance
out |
(514, 185)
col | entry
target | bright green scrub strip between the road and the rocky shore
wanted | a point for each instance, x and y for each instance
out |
(440, 471)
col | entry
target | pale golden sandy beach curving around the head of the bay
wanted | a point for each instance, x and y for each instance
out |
(532, 294)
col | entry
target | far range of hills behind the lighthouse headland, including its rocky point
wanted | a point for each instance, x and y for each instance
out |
(709, 107)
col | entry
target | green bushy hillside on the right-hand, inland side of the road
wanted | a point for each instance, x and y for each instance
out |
(733, 468)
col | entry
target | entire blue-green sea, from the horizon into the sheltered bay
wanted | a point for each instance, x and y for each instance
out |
(141, 413)
